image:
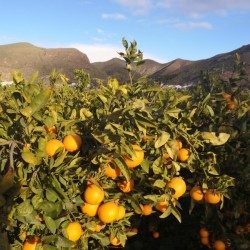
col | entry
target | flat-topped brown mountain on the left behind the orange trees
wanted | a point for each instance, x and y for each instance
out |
(28, 59)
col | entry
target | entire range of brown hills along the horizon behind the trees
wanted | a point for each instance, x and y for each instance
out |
(28, 59)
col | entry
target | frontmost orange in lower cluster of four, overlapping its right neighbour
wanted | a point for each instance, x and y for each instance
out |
(108, 212)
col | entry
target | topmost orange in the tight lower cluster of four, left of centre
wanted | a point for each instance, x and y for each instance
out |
(93, 194)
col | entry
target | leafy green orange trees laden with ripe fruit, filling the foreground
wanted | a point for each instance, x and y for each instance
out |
(122, 164)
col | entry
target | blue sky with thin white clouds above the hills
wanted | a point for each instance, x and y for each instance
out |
(164, 29)
